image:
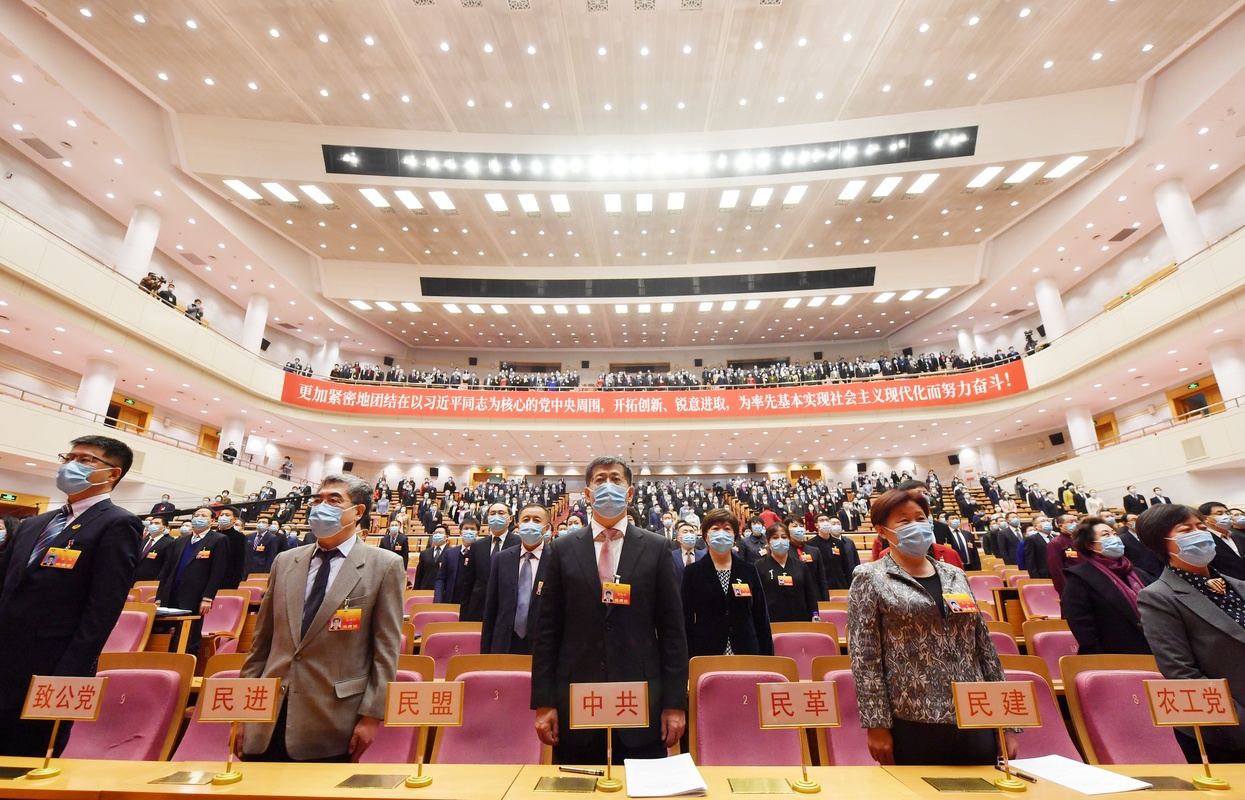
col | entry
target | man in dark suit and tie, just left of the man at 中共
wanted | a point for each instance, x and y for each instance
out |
(516, 583)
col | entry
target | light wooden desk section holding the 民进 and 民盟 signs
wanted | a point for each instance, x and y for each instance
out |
(263, 782)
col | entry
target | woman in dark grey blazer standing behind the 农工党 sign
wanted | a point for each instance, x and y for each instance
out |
(1195, 620)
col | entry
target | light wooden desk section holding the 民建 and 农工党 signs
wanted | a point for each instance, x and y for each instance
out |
(912, 778)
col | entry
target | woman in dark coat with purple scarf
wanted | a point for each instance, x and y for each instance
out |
(1100, 598)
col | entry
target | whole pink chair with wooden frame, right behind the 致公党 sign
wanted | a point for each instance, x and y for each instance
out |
(141, 710)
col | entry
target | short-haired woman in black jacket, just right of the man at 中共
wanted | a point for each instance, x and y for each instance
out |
(724, 603)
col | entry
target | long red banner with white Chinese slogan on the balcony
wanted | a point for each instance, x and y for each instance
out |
(397, 400)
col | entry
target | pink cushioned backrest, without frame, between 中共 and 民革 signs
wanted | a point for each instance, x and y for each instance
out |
(729, 728)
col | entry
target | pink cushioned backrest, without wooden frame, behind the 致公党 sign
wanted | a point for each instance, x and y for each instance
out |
(135, 717)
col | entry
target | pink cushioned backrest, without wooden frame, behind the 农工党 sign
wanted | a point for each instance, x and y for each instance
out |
(1117, 719)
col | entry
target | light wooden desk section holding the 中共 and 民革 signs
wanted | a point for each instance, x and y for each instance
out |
(865, 783)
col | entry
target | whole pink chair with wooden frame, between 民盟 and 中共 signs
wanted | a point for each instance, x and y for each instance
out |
(499, 723)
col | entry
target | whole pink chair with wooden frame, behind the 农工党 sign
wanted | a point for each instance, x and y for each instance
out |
(1111, 714)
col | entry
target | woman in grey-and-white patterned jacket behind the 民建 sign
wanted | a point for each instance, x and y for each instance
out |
(908, 646)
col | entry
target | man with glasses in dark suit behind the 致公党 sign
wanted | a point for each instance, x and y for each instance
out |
(54, 620)
